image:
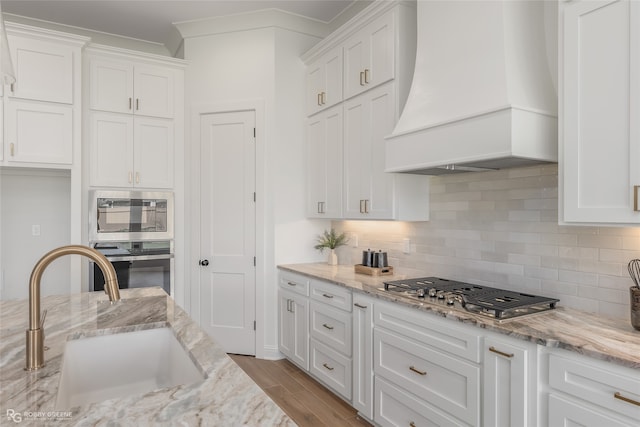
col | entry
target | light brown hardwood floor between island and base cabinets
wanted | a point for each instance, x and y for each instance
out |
(306, 401)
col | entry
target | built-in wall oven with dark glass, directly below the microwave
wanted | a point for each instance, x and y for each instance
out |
(138, 264)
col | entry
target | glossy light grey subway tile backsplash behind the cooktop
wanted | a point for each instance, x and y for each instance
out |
(500, 228)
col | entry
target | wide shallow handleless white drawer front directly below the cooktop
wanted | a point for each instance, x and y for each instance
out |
(430, 330)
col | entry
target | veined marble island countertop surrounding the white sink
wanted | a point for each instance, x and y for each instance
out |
(227, 396)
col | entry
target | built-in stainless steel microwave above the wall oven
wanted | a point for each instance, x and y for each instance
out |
(130, 215)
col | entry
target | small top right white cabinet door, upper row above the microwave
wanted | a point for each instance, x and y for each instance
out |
(153, 91)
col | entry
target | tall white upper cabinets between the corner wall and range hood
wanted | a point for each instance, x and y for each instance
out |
(346, 143)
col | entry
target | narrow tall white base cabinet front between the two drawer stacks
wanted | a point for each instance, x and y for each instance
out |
(362, 352)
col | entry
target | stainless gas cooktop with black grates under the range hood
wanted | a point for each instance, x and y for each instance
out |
(494, 302)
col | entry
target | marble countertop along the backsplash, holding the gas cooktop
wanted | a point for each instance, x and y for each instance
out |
(611, 340)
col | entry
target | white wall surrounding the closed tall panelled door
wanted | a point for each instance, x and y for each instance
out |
(261, 68)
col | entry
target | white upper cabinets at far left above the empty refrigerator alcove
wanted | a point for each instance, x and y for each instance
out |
(41, 109)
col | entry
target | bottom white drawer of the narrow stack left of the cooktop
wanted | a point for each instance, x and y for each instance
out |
(331, 367)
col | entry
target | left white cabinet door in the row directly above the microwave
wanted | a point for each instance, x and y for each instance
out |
(111, 150)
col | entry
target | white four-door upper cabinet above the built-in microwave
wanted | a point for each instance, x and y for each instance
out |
(135, 120)
